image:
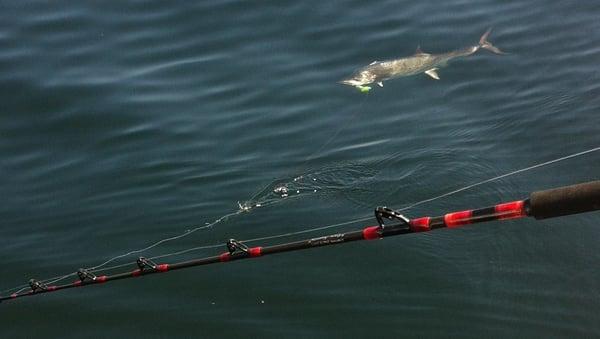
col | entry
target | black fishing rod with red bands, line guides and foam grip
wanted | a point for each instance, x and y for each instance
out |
(550, 203)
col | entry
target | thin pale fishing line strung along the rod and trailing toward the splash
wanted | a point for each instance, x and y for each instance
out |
(101, 267)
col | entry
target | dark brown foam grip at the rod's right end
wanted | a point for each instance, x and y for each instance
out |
(565, 200)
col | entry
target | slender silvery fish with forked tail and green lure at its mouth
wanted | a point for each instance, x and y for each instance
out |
(421, 62)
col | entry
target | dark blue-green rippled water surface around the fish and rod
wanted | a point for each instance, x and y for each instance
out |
(125, 123)
